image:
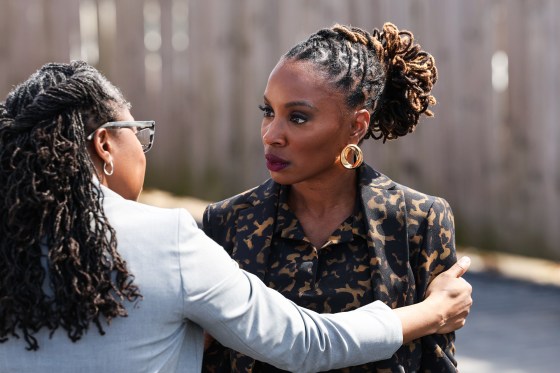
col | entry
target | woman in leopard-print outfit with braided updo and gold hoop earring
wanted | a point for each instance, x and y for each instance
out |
(327, 231)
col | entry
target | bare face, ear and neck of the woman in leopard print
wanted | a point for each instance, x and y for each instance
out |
(306, 124)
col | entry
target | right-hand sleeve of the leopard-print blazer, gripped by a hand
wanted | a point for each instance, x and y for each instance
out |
(437, 254)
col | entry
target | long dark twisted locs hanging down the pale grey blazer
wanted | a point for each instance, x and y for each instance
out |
(59, 265)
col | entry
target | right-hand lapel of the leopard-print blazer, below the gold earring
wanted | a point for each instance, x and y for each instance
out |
(384, 207)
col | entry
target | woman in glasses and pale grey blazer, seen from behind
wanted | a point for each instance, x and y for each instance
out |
(77, 252)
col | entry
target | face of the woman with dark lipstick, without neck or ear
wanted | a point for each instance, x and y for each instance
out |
(305, 124)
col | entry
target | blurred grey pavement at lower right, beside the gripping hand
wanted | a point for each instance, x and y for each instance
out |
(513, 327)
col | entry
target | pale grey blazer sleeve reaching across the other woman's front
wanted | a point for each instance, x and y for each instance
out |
(242, 313)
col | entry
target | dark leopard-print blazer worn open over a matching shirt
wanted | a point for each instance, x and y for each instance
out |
(410, 237)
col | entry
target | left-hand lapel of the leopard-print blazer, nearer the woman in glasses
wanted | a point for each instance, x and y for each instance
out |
(255, 227)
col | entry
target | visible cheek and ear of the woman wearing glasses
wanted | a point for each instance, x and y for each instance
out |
(129, 161)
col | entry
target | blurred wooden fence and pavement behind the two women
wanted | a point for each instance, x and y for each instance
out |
(199, 68)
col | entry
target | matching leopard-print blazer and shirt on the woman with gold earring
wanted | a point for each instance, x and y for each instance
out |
(397, 237)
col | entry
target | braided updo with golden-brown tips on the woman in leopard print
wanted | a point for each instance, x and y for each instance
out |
(384, 72)
